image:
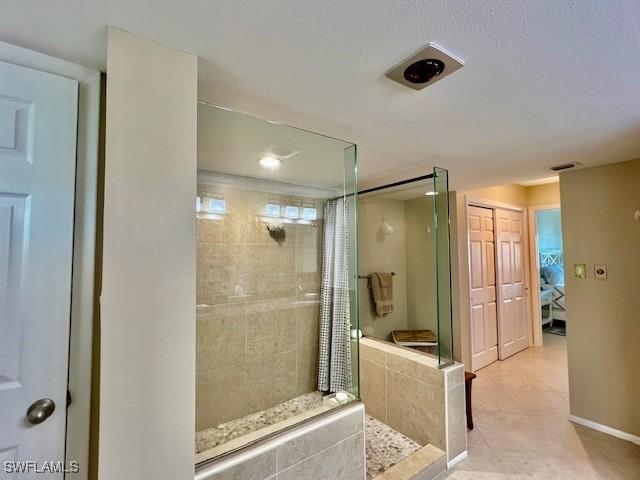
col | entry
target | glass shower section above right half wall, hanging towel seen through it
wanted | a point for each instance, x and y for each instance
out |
(404, 235)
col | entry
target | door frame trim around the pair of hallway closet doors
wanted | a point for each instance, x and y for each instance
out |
(473, 201)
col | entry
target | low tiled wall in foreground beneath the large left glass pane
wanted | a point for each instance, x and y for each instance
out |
(327, 447)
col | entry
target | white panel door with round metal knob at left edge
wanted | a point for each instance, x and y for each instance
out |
(37, 178)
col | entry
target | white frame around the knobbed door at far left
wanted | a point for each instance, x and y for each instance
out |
(84, 242)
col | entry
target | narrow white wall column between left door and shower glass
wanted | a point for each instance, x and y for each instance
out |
(147, 376)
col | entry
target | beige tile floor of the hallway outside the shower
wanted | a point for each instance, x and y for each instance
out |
(522, 431)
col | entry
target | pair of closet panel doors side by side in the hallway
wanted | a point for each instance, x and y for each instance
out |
(498, 282)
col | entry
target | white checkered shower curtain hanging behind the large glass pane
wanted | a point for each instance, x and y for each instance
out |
(334, 362)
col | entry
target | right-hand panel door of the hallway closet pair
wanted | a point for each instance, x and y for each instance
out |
(513, 333)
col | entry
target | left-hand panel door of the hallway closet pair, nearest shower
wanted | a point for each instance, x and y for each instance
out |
(482, 280)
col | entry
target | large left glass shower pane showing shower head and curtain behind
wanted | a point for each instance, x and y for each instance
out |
(277, 297)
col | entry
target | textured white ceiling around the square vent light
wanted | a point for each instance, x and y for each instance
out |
(545, 81)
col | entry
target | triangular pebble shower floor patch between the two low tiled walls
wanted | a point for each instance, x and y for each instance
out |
(385, 447)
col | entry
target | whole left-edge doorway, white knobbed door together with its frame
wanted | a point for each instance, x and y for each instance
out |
(49, 118)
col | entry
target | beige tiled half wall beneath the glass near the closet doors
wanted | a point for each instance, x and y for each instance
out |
(407, 391)
